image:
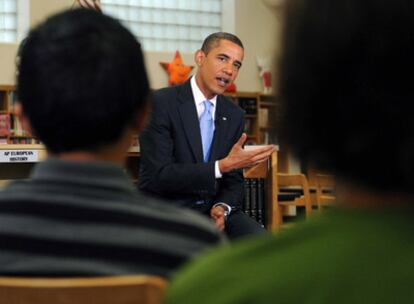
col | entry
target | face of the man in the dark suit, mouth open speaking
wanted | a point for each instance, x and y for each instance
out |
(218, 68)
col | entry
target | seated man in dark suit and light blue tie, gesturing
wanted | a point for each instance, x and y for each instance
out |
(172, 145)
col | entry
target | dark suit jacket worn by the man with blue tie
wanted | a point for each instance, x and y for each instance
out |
(171, 151)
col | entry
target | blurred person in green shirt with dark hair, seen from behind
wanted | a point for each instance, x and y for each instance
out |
(345, 92)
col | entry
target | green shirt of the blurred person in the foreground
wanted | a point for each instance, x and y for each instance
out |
(344, 256)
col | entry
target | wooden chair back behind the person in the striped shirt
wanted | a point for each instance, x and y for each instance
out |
(92, 290)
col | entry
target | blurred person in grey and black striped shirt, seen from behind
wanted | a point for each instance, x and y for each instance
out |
(82, 90)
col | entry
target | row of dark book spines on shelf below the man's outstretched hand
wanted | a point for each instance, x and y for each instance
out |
(254, 199)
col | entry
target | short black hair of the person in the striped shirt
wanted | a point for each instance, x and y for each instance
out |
(81, 80)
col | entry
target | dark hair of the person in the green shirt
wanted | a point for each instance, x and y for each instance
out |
(346, 89)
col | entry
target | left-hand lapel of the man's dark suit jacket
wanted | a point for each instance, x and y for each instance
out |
(189, 119)
